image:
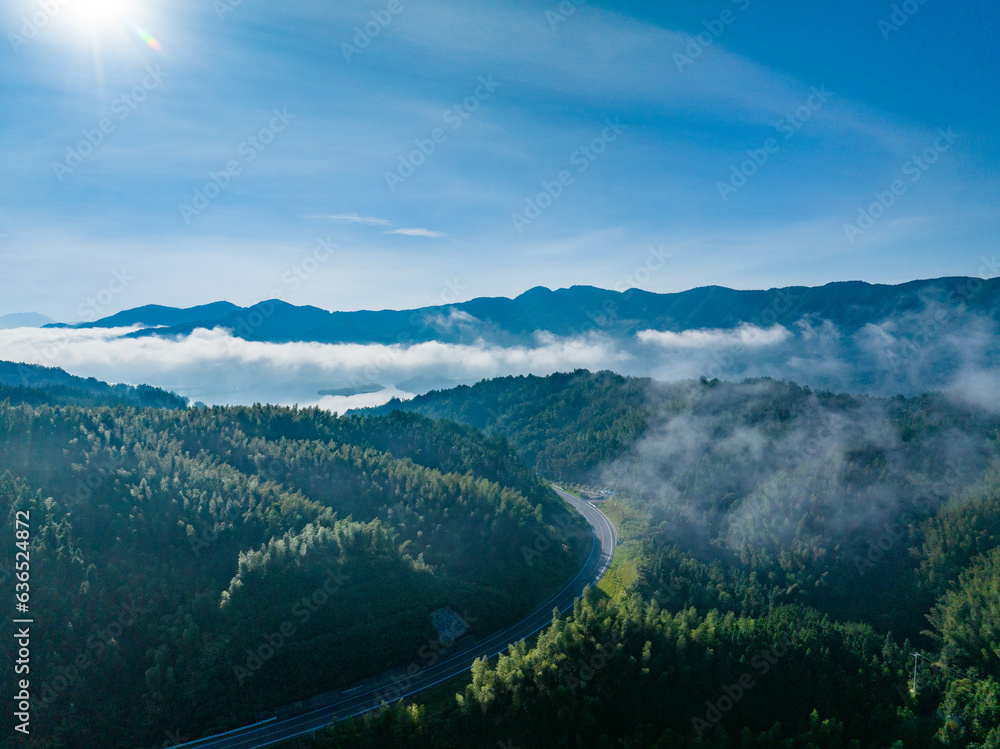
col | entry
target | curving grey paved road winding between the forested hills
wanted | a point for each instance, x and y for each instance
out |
(273, 730)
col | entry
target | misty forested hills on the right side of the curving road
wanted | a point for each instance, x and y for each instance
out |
(843, 531)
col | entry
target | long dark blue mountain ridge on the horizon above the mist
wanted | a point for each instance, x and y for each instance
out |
(567, 312)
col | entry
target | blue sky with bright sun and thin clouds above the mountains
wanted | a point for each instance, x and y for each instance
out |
(516, 99)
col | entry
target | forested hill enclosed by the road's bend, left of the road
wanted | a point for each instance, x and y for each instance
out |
(169, 546)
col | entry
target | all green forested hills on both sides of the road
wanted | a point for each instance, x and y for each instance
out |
(784, 552)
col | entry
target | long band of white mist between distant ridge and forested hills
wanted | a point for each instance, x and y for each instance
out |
(896, 356)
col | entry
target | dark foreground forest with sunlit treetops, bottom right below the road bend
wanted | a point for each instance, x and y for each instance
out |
(626, 673)
